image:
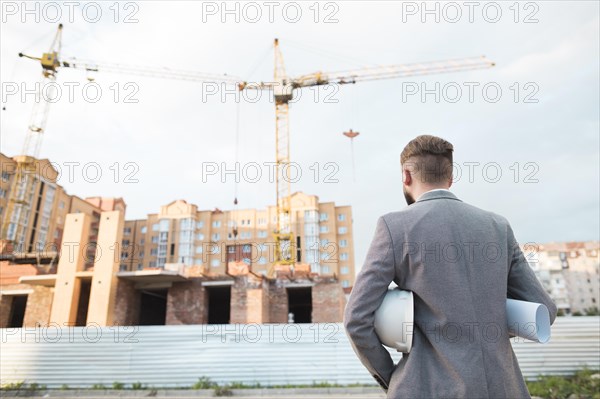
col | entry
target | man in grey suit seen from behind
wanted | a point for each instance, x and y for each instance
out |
(461, 263)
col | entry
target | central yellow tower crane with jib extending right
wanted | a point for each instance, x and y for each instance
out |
(283, 88)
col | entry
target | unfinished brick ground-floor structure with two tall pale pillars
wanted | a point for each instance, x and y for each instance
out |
(173, 294)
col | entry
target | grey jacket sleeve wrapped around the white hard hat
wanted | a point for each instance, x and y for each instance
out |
(367, 295)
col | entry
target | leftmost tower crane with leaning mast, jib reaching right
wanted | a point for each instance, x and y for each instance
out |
(18, 209)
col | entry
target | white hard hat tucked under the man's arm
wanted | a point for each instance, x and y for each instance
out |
(394, 320)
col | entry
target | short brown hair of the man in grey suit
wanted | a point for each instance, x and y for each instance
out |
(429, 158)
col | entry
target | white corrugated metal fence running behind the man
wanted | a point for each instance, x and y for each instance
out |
(171, 356)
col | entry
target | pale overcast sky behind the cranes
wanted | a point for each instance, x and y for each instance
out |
(541, 133)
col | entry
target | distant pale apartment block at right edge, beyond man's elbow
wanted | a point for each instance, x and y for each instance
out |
(570, 273)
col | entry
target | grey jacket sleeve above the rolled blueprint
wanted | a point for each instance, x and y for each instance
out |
(522, 282)
